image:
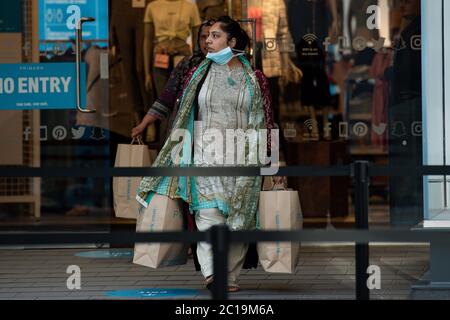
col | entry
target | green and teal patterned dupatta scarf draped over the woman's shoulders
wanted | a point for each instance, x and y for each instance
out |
(244, 204)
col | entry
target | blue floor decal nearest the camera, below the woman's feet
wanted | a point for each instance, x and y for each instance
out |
(153, 293)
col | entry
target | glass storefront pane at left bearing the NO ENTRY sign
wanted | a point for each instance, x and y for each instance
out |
(40, 124)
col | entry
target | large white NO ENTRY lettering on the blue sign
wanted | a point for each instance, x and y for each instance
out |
(34, 85)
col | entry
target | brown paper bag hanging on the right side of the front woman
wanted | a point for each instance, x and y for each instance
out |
(279, 210)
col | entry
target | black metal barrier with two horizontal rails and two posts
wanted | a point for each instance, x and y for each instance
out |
(220, 237)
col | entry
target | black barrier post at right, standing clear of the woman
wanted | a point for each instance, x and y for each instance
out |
(361, 179)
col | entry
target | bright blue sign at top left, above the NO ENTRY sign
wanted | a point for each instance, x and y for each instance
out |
(58, 19)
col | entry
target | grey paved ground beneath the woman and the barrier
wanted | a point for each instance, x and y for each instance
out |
(323, 272)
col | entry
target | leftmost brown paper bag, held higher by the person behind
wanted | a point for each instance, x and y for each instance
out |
(124, 188)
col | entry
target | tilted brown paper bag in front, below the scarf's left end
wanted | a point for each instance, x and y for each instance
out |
(162, 214)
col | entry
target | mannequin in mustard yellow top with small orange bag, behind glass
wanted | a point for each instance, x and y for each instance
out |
(167, 27)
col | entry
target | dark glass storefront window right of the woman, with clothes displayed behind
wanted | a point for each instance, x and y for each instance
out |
(359, 97)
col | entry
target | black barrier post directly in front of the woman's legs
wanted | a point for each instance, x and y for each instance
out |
(220, 237)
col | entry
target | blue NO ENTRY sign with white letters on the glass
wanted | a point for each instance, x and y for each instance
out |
(40, 86)
